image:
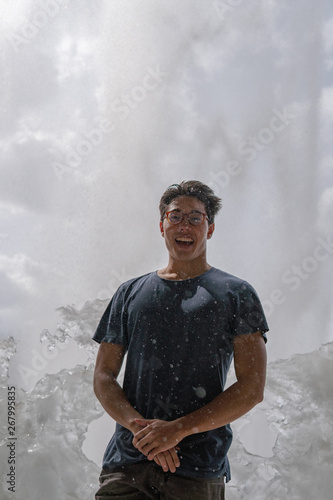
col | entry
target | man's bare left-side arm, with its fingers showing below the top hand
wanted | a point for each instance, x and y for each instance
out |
(114, 401)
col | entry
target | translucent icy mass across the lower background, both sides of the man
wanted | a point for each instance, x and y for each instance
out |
(53, 419)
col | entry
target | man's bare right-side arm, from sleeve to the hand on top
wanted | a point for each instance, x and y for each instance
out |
(238, 399)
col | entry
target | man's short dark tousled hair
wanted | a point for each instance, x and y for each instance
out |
(196, 189)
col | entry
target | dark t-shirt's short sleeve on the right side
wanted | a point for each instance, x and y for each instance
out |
(249, 316)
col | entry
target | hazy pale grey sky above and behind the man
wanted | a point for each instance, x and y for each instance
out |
(104, 104)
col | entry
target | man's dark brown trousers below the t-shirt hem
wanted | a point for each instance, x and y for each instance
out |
(147, 481)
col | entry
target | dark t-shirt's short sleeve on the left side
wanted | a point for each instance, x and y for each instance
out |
(113, 324)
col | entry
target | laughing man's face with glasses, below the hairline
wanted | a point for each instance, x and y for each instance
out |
(184, 241)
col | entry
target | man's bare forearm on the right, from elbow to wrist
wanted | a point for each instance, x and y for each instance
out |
(231, 404)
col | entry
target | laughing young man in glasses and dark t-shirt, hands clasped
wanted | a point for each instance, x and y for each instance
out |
(180, 327)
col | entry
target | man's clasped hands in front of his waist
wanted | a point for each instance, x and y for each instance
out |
(158, 438)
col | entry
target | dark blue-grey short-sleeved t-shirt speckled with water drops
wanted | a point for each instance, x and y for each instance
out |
(179, 341)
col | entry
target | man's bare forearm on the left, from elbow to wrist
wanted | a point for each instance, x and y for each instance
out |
(114, 401)
